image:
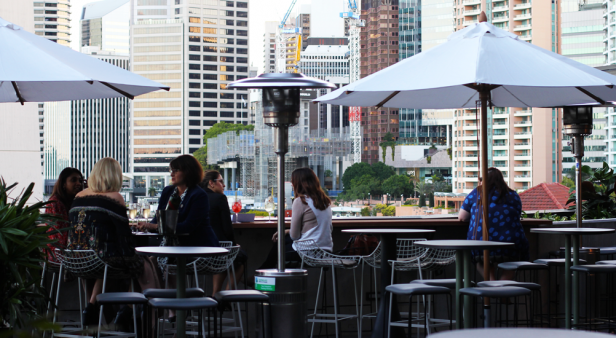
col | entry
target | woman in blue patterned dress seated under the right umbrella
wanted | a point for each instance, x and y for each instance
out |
(504, 215)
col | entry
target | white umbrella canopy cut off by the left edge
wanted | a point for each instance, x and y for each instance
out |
(34, 69)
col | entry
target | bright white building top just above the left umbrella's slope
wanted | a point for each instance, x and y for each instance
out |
(106, 24)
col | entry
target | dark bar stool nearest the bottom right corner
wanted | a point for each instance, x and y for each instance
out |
(594, 319)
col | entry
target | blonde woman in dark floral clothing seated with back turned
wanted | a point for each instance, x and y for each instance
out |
(99, 222)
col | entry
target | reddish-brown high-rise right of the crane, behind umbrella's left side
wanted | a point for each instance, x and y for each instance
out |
(379, 49)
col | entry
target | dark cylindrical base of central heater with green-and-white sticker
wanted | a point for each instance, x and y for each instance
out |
(285, 315)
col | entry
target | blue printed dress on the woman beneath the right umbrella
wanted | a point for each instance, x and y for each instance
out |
(504, 226)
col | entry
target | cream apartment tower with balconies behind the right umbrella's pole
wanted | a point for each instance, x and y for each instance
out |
(525, 144)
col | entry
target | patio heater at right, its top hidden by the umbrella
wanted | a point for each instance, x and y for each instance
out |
(578, 123)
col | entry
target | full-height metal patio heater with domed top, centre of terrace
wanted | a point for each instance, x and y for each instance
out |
(287, 289)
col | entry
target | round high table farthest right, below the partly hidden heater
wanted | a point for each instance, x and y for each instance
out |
(572, 238)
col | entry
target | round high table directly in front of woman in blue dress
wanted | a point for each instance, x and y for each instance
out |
(463, 267)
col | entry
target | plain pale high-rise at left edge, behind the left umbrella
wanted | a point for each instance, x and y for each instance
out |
(20, 133)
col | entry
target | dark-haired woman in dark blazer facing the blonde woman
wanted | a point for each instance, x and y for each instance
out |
(186, 195)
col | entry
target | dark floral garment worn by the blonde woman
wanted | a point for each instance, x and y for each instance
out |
(100, 223)
